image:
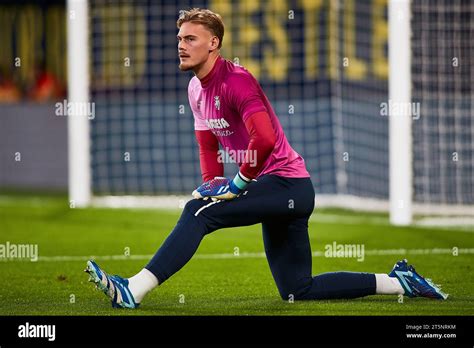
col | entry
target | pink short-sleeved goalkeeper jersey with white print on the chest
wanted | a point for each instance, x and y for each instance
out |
(224, 99)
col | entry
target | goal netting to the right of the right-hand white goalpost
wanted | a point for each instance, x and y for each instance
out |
(442, 77)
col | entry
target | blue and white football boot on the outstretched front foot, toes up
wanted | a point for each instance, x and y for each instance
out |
(115, 287)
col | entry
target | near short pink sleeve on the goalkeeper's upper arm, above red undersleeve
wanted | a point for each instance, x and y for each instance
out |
(245, 94)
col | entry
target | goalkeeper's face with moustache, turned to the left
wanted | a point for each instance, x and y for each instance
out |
(194, 45)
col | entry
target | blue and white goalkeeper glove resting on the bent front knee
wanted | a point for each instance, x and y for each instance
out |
(222, 188)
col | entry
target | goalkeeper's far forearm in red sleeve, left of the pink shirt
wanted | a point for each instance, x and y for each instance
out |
(208, 155)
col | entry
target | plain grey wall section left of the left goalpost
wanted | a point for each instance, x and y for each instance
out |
(33, 143)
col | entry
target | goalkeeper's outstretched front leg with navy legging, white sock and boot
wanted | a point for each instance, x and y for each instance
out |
(266, 198)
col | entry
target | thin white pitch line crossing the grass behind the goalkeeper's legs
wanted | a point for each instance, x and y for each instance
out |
(258, 255)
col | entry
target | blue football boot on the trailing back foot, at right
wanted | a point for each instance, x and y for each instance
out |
(414, 284)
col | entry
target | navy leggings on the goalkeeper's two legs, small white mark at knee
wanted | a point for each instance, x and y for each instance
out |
(283, 207)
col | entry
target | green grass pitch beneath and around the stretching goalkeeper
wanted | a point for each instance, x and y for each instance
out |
(235, 285)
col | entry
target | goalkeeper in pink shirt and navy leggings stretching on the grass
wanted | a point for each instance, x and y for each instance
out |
(274, 188)
